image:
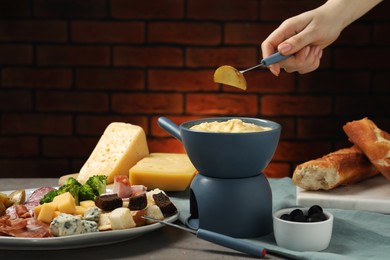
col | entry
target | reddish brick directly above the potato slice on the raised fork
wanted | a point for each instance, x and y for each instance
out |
(236, 56)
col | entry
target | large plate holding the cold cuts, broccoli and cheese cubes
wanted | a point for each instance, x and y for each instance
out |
(77, 241)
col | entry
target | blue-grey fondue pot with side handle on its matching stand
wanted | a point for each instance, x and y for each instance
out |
(230, 194)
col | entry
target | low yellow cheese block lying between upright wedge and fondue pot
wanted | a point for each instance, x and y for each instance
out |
(166, 171)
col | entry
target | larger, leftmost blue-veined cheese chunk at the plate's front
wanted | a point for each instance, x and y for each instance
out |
(66, 225)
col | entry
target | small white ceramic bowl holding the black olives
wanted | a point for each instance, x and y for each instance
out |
(302, 236)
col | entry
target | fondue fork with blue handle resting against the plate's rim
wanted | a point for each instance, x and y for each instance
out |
(220, 239)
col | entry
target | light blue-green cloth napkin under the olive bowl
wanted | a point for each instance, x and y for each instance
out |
(356, 234)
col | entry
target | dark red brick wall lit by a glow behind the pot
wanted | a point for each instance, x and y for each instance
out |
(70, 67)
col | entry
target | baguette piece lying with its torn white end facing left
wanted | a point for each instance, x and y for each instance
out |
(342, 167)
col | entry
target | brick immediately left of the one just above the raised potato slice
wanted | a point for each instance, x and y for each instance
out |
(148, 56)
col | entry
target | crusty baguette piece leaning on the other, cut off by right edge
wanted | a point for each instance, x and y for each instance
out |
(374, 143)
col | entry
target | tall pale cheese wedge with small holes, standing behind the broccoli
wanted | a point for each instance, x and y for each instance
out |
(120, 147)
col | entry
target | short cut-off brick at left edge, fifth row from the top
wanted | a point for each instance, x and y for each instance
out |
(15, 101)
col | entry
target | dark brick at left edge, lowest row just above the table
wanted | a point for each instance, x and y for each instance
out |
(36, 168)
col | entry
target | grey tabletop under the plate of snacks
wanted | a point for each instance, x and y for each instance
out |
(164, 243)
